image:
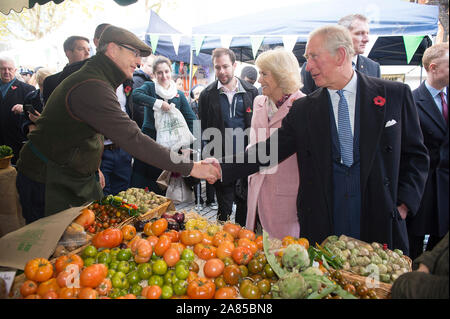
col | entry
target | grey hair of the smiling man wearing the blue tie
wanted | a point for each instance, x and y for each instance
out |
(335, 37)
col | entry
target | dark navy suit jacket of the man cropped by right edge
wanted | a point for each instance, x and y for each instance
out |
(432, 217)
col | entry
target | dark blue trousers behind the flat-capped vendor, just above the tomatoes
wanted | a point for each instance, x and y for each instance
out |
(116, 167)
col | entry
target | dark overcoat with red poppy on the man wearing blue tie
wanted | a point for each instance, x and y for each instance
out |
(394, 160)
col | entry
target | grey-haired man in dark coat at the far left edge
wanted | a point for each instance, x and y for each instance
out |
(12, 94)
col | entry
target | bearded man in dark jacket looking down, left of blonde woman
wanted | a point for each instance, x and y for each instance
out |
(227, 105)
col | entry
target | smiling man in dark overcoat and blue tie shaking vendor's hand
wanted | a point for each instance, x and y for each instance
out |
(361, 156)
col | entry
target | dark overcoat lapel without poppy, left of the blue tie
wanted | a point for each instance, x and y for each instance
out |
(318, 124)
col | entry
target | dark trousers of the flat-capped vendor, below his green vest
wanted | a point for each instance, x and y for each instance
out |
(32, 198)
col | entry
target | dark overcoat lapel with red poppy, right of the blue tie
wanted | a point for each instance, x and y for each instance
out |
(371, 123)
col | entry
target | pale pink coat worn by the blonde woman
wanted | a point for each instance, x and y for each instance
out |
(274, 192)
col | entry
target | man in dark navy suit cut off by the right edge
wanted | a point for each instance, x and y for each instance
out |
(431, 99)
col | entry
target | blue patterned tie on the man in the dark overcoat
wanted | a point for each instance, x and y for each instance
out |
(345, 130)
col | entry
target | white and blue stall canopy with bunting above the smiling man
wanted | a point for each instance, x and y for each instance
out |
(400, 28)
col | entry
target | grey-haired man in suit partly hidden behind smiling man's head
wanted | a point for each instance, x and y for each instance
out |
(358, 26)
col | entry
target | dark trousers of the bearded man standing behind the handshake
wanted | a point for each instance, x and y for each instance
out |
(225, 198)
